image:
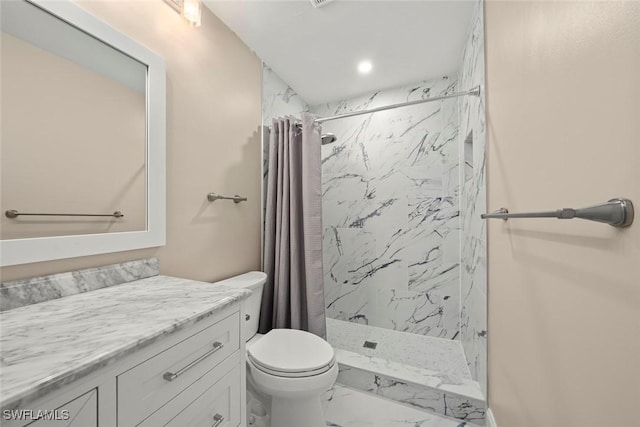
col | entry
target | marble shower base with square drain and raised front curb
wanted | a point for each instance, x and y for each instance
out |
(425, 372)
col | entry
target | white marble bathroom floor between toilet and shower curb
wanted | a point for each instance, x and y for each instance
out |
(346, 407)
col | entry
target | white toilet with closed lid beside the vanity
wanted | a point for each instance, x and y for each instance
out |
(293, 367)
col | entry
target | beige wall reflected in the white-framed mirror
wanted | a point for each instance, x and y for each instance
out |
(72, 141)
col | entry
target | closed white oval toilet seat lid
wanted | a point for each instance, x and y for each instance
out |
(292, 351)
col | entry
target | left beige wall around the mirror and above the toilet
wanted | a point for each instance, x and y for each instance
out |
(213, 144)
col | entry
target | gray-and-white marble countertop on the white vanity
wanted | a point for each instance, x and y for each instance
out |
(47, 345)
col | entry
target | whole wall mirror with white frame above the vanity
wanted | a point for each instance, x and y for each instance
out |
(82, 138)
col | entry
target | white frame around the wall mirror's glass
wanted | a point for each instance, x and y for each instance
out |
(23, 251)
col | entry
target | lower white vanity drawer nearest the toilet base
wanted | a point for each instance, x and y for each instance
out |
(217, 406)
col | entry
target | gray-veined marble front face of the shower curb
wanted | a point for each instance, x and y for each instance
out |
(434, 400)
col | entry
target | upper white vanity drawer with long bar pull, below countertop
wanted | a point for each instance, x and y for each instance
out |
(151, 384)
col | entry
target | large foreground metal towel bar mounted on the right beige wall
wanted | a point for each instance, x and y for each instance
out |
(616, 212)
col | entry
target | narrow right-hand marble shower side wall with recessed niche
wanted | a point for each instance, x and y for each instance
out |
(473, 328)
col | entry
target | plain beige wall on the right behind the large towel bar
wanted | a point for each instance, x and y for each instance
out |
(563, 85)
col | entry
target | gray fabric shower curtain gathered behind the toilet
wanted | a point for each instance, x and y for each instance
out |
(293, 296)
